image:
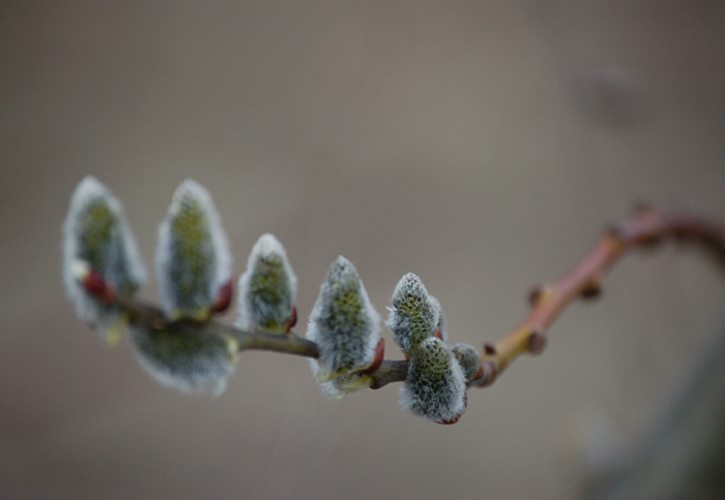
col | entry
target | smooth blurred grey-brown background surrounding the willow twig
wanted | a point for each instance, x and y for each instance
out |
(481, 144)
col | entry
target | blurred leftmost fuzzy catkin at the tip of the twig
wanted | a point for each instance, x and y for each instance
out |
(96, 235)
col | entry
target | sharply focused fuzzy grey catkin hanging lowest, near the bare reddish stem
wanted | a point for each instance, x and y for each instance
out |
(435, 387)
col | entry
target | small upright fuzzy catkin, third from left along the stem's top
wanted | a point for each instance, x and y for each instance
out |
(267, 288)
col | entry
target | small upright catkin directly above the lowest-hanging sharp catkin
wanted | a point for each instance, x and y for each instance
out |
(414, 315)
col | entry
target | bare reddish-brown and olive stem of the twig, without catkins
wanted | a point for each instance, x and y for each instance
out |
(646, 228)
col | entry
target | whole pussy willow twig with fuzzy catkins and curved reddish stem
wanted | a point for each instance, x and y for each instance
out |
(182, 345)
